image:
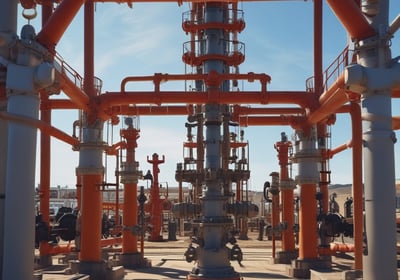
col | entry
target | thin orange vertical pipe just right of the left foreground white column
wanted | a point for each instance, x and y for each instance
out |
(45, 169)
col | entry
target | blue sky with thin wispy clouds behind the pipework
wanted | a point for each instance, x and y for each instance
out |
(149, 39)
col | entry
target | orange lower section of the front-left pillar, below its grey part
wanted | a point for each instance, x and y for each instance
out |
(91, 211)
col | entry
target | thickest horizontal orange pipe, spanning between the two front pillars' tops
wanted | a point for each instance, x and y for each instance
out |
(111, 99)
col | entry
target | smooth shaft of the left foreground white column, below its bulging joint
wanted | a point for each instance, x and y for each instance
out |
(19, 220)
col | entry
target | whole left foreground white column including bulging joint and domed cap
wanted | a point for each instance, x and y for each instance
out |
(23, 81)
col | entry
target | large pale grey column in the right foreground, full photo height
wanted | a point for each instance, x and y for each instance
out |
(380, 260)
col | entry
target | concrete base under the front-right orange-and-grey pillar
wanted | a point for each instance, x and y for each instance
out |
(301, 268)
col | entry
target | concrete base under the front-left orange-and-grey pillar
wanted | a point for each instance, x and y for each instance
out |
(97, 270)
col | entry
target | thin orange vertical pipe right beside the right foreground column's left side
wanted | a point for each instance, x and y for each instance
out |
(358, 218)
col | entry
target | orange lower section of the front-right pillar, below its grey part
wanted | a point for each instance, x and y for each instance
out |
(308, 228)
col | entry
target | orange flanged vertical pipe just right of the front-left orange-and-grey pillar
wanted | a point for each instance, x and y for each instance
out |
(129, 240)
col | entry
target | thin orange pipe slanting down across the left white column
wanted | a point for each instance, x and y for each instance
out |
(44, 127)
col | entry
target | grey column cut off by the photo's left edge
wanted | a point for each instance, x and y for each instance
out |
(8, 24)
